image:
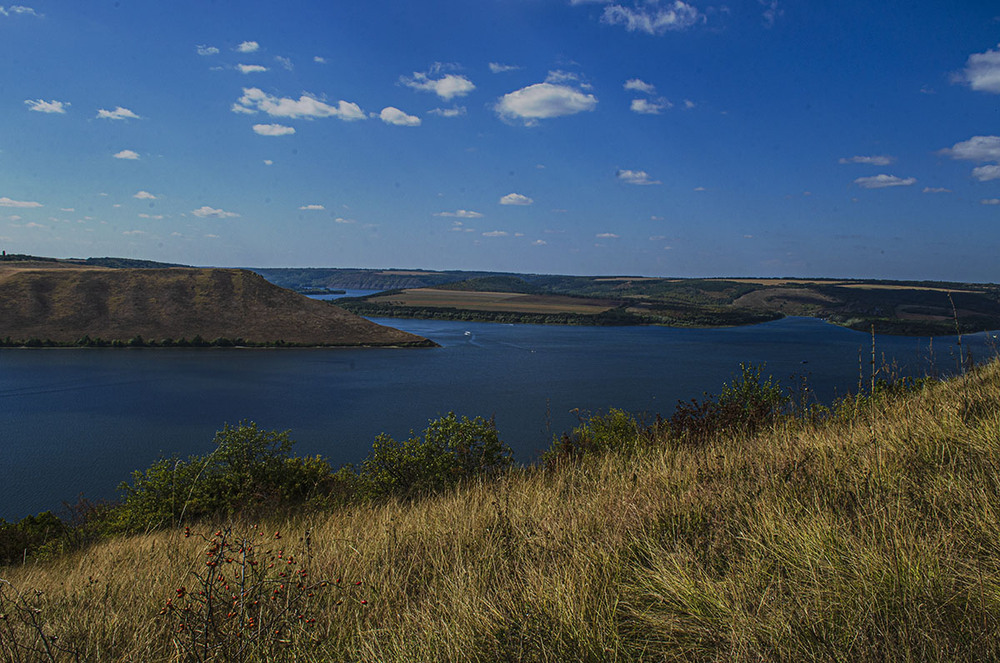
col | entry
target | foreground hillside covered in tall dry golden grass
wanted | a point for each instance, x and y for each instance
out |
(866, 532)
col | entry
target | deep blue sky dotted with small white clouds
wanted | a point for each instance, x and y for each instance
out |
(640, 137)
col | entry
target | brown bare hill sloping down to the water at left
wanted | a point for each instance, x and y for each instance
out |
(64, 302)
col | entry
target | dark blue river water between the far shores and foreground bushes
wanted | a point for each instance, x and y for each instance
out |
(81, 420)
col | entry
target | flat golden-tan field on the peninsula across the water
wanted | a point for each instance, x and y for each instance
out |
(496, 301)
